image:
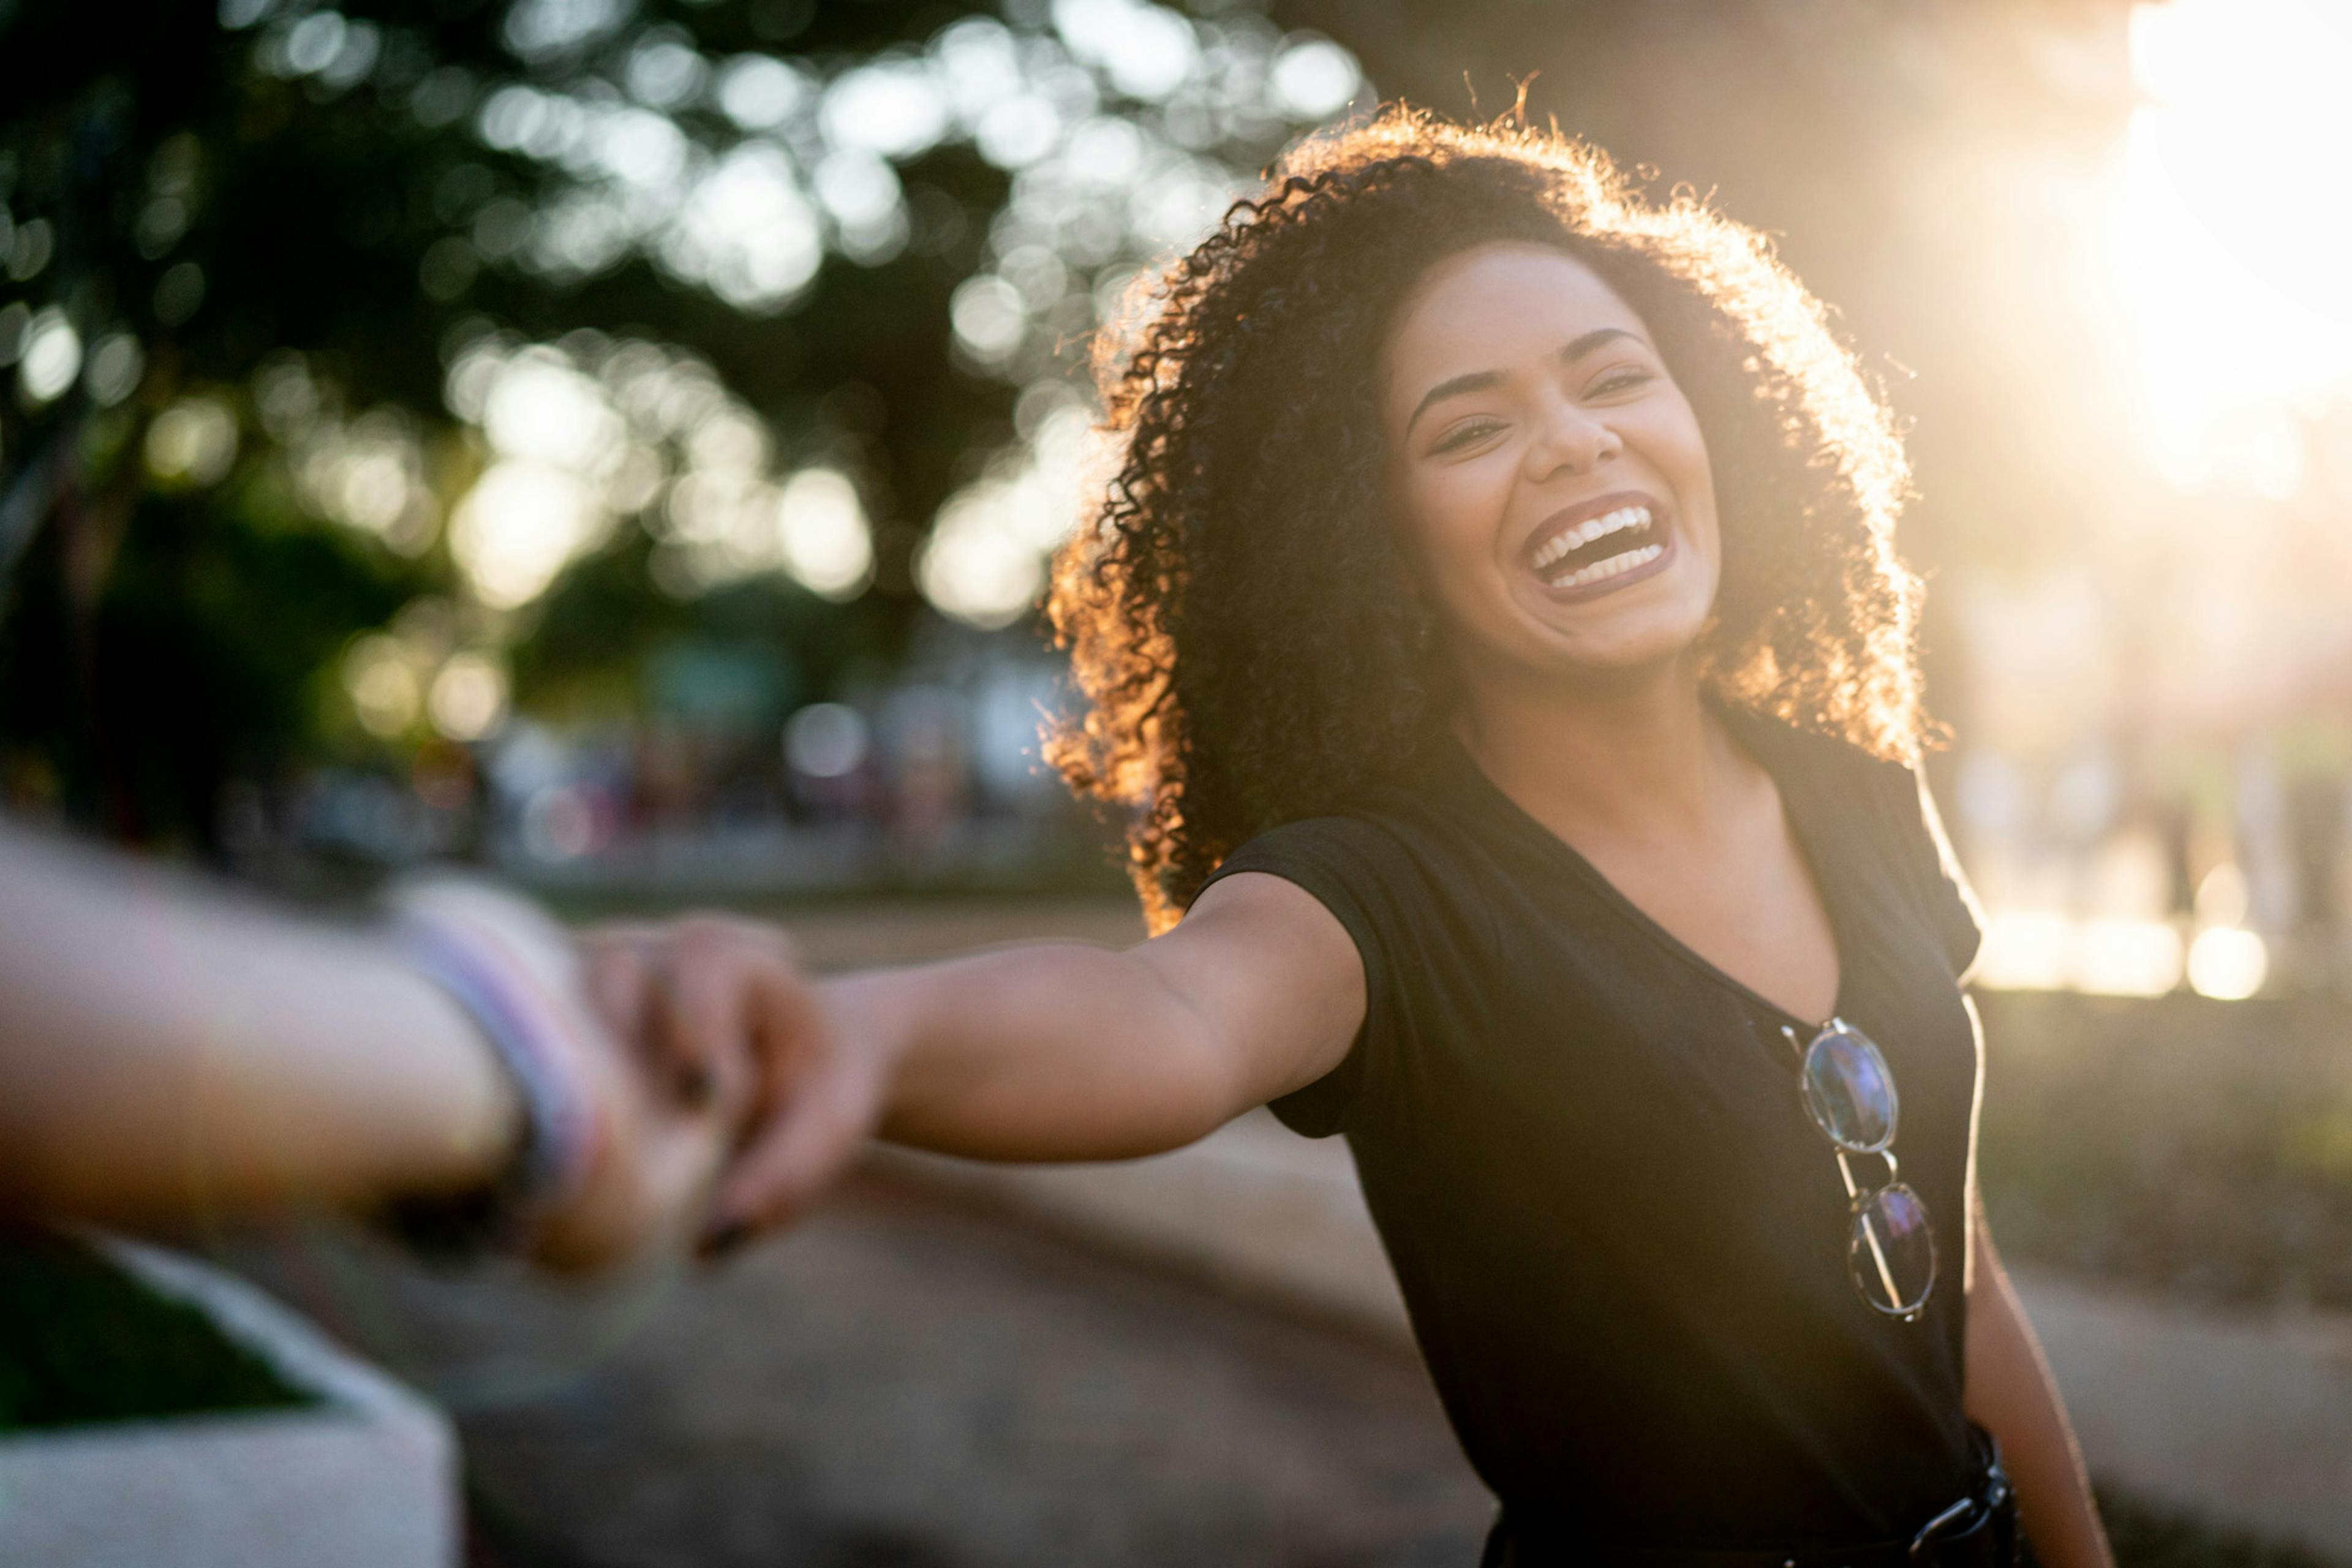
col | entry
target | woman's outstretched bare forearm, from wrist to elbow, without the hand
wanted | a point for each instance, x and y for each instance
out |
(1053, 1052)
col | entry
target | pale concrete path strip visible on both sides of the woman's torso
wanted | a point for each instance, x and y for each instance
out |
(2236, 1419)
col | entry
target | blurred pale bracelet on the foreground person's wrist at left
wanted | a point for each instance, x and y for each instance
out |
(516, 977)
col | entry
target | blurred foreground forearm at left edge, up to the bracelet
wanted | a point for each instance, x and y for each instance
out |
(171, 1050)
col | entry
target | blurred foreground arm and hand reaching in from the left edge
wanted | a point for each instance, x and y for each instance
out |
(173, 1052)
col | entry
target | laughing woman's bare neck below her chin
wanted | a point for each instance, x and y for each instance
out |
(1626, 758)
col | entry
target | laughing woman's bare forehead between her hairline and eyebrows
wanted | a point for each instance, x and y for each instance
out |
(1497, 307)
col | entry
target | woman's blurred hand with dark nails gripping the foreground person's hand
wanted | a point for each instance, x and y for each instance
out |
(726, 1010)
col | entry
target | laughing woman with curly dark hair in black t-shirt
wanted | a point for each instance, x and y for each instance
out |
(1497, 622)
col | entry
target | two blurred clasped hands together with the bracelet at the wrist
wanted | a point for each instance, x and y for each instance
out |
(679, 1085)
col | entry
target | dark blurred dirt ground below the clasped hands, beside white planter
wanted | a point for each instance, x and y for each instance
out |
(909, 1383)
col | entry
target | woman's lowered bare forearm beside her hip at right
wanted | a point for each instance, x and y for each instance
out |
(2014, 1398)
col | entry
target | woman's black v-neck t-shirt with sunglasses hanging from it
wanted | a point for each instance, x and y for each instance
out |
(1617, 1231)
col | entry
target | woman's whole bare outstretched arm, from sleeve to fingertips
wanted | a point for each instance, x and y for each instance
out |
(1041, 1052)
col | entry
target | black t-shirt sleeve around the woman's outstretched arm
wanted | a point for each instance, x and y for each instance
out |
(1337, 864)
